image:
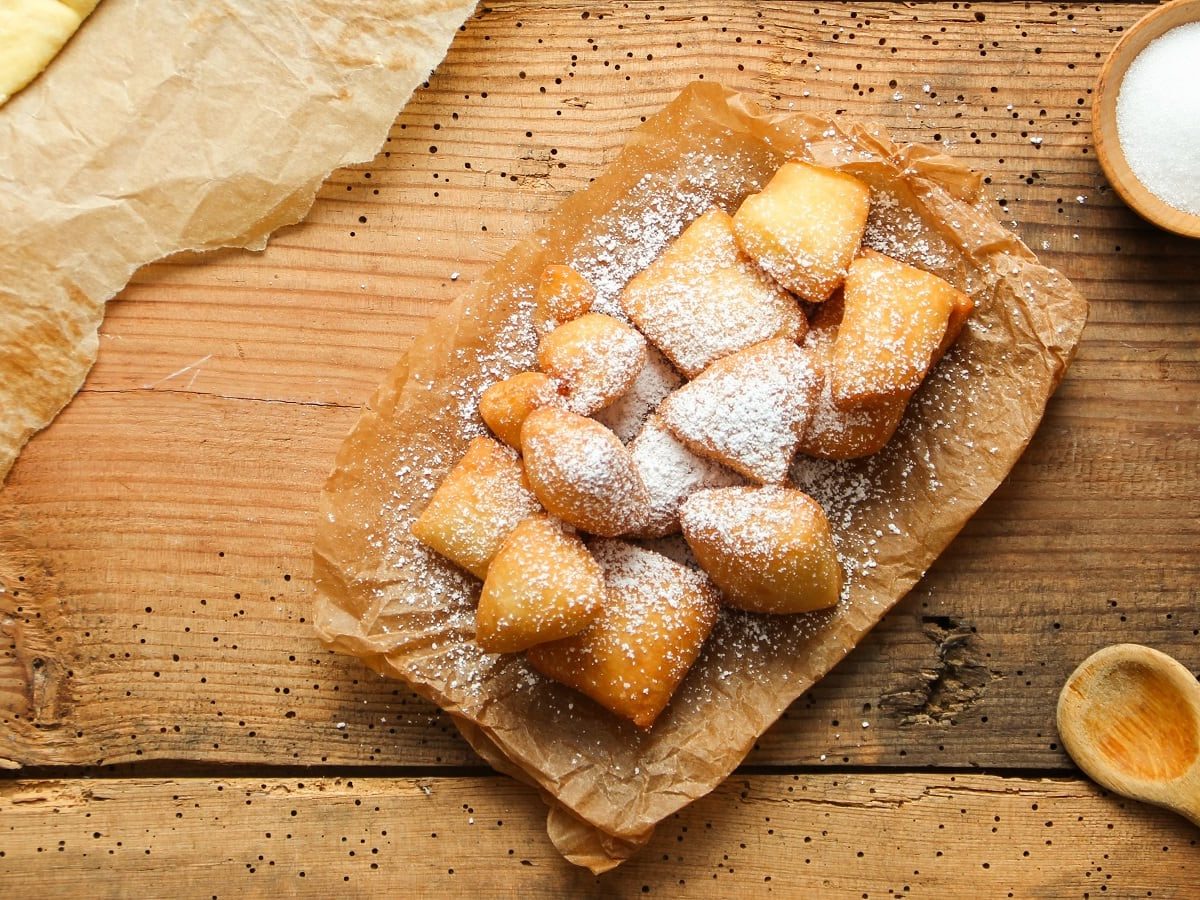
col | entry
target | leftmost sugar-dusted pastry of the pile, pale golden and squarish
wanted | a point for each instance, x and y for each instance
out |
(477, 507)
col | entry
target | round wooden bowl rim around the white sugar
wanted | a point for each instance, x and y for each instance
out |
(1105, 118)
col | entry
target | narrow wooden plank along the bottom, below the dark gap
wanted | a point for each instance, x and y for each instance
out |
(829, 836)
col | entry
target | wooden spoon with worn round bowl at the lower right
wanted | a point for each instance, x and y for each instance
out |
(1130, 717)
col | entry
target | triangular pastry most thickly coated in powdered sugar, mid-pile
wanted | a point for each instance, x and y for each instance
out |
(747, 411)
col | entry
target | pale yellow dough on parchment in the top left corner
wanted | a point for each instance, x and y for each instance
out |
(32, 34)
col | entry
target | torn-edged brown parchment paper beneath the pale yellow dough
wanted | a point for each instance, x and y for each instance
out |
(172, 127)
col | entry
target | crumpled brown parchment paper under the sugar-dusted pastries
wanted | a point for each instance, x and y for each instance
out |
(410, 615)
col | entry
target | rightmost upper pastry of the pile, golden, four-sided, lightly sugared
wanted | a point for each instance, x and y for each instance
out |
(893, 327)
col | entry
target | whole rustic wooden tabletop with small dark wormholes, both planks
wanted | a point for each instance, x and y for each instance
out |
(172, 727)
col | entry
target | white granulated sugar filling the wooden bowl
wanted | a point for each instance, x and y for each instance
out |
(1159, 117)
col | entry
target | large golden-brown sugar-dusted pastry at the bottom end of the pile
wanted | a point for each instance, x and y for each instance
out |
(656, 619)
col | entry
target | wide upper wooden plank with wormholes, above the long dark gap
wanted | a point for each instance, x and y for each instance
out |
(146, 537)
